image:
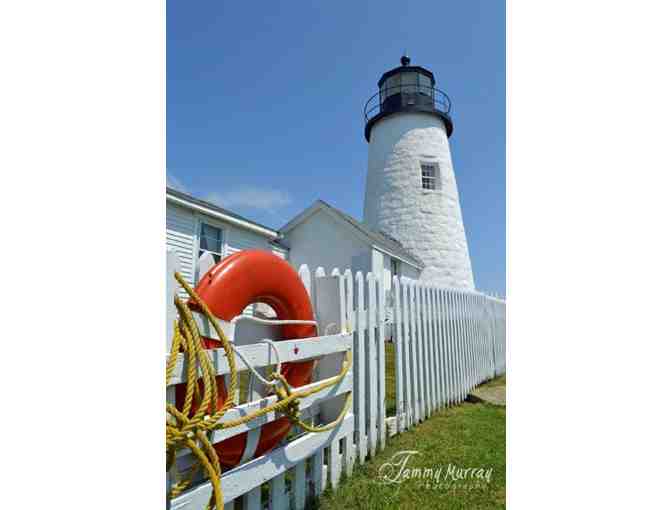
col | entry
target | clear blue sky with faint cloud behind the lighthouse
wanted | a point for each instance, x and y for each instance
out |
(264, 104)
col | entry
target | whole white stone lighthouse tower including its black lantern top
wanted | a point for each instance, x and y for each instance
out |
(411, 193)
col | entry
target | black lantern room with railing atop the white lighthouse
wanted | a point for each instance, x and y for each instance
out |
(407, 88)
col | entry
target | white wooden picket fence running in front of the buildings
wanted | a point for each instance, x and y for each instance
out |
(445, 342)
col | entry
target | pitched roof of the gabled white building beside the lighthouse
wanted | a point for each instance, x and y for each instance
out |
(379, 239)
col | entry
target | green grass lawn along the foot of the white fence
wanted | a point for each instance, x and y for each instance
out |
(448, 445)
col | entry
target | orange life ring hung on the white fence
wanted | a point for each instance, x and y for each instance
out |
(246, 277)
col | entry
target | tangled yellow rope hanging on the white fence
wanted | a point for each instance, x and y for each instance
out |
(194, 432)
